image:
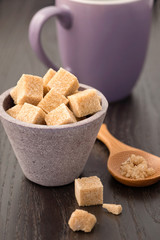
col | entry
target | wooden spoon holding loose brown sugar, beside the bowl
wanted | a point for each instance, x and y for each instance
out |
(120, 152)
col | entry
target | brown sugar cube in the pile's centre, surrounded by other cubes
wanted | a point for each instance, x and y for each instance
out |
(52, 100)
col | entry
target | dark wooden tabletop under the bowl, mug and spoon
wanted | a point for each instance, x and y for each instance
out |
(31, 212)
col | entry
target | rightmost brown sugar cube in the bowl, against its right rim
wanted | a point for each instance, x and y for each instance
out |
(84, 103)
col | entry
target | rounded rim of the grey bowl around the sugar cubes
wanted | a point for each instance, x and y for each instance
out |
(7, 117)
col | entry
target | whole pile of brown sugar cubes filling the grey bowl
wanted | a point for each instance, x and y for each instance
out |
(53, 99)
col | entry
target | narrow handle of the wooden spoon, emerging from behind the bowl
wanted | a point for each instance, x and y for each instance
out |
(113, 144)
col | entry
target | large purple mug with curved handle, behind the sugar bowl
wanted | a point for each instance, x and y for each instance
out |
(103, 42)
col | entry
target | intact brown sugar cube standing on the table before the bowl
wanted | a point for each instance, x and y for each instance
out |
(89, 191)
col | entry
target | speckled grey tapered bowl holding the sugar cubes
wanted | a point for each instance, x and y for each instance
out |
(51, 155)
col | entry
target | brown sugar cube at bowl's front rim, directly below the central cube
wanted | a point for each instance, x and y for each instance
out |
(59, 116)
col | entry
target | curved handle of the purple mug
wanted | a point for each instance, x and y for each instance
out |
(63, 15)
